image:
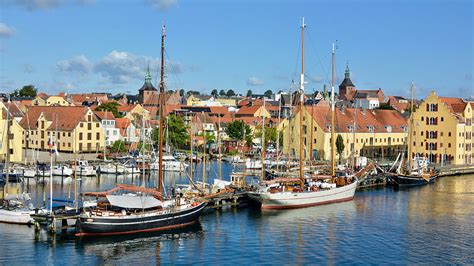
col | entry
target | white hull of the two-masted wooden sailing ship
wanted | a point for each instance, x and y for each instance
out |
(290, 200)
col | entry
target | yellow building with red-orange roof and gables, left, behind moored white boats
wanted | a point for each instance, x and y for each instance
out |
(72, 128)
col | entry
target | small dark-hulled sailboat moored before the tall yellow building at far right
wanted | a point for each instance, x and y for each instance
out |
(417, 173)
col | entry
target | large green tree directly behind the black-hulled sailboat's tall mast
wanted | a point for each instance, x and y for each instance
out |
(178, 133)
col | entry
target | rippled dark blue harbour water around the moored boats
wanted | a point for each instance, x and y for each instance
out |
(430, 224)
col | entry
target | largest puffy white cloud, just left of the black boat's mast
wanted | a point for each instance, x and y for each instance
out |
(122, 67)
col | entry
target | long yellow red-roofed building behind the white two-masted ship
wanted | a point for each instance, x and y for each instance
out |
(369, 133)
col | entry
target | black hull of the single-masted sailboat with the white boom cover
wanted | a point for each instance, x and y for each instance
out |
(103, 226)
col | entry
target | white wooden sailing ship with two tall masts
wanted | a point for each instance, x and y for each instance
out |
(306, 191)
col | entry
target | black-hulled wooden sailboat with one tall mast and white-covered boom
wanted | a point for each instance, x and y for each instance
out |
(147, 209)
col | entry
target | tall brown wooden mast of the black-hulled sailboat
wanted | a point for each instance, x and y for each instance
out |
(162, 102)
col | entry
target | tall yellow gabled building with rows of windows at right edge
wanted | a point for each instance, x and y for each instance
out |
(442, 130)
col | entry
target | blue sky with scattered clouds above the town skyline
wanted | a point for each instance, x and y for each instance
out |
(105, 46)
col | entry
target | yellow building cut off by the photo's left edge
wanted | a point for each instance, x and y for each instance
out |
(16, 134)
